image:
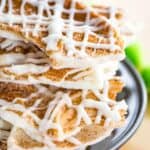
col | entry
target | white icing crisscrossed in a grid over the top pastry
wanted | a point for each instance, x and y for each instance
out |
(56, 25)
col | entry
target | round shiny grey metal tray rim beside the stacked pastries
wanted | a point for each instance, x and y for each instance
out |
(135, 95)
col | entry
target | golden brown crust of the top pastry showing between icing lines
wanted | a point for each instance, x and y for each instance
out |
(37, 40)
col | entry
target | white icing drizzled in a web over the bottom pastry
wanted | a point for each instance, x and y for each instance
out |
(108, 108)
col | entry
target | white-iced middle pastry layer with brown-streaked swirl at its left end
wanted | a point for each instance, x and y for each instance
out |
(34, 62)
